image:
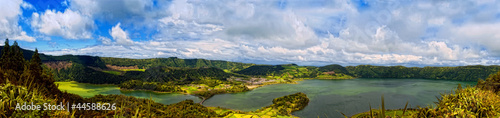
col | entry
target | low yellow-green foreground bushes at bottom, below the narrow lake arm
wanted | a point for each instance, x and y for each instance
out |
(128, 106)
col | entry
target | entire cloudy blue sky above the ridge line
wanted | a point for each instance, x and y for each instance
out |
(305, 32)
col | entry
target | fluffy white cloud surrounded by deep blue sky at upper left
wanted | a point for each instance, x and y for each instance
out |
(68, 24)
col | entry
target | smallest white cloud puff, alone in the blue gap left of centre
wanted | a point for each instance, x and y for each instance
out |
(121, 37)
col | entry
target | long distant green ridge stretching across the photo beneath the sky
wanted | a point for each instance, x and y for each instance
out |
(84, 68)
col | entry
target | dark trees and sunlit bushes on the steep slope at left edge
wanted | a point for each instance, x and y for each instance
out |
(27, 81)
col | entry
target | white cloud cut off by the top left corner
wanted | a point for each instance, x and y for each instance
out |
(9, 17)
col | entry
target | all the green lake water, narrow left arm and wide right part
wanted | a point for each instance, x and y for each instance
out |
(327, 97)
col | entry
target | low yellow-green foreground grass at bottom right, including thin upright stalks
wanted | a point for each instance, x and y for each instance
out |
(469, 102)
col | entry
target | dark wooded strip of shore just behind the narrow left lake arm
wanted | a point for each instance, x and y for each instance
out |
(80, 73)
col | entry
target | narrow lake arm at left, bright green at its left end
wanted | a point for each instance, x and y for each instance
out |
(89, 90)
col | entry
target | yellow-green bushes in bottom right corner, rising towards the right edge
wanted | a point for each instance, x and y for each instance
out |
(482, 100)
